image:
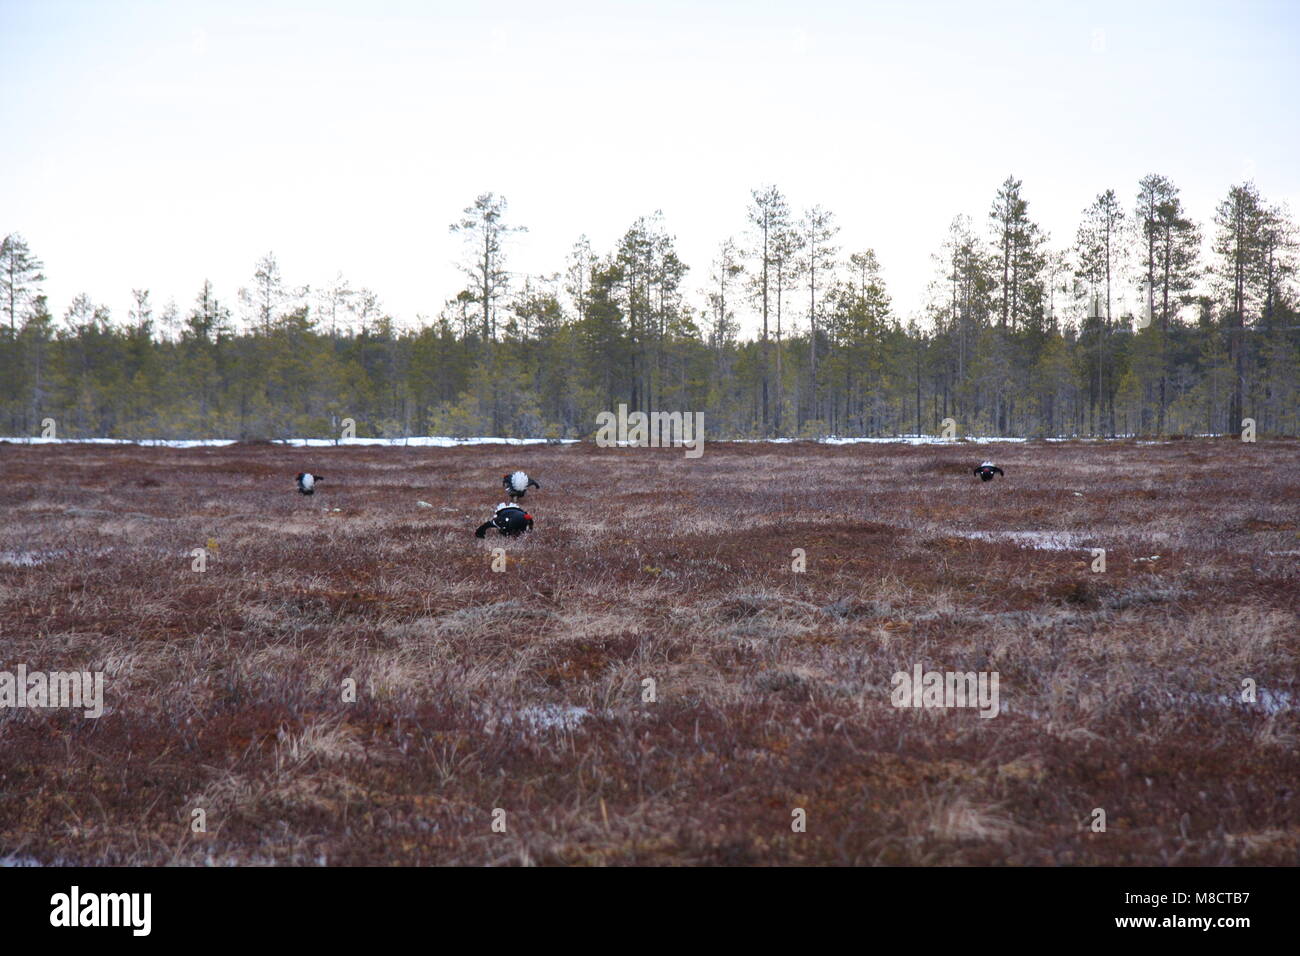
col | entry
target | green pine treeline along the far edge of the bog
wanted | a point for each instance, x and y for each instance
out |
(1141, 325)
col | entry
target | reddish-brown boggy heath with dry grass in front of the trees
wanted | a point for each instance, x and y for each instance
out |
(224, 689)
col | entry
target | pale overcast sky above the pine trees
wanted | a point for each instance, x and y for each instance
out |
(154, 145)
